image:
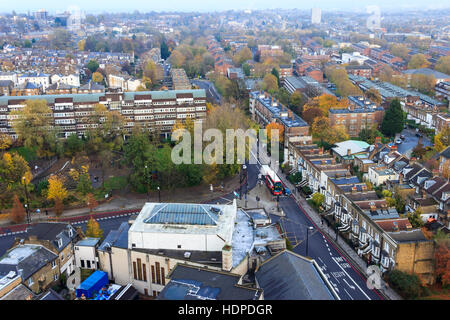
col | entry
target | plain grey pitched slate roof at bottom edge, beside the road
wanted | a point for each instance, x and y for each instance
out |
(288, 276)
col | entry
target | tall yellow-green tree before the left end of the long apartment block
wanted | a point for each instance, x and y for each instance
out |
(34, 127)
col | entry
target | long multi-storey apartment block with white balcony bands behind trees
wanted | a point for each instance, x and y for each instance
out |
(152, 110)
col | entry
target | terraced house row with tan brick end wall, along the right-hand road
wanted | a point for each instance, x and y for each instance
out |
(376, 231)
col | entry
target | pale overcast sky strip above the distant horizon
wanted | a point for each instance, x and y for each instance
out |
(97, 6)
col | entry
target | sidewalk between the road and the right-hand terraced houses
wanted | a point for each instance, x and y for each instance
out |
(342, 246)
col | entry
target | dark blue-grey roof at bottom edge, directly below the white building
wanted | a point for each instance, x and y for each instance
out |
(194, 283)
